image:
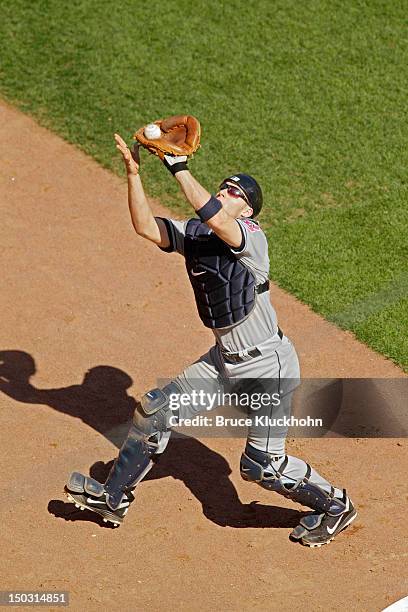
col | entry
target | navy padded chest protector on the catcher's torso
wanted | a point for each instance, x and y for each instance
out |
(224, 289)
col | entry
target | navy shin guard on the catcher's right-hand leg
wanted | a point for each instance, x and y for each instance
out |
(256, 466)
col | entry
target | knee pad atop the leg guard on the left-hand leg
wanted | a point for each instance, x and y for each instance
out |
(151, 418)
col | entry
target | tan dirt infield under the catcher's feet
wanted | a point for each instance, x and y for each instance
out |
(91, 317)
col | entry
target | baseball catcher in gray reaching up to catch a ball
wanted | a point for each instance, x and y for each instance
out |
(226, 258)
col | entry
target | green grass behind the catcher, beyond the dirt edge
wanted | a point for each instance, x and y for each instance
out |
(309, 97)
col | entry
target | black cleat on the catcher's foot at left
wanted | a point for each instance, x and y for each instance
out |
(85, 492)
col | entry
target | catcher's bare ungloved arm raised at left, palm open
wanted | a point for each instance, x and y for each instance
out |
(142, 217)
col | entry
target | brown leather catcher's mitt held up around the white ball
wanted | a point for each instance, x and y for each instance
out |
(180, 135)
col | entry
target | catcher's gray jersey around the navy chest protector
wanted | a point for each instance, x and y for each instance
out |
(261, 323)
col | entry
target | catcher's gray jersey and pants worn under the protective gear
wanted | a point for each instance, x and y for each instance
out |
(277, 358)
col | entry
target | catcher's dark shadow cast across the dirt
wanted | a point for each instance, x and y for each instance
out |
(101, 401)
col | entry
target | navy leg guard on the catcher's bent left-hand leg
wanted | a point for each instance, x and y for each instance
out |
(147, 436)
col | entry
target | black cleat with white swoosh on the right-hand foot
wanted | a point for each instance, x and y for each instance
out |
(317, 529)
